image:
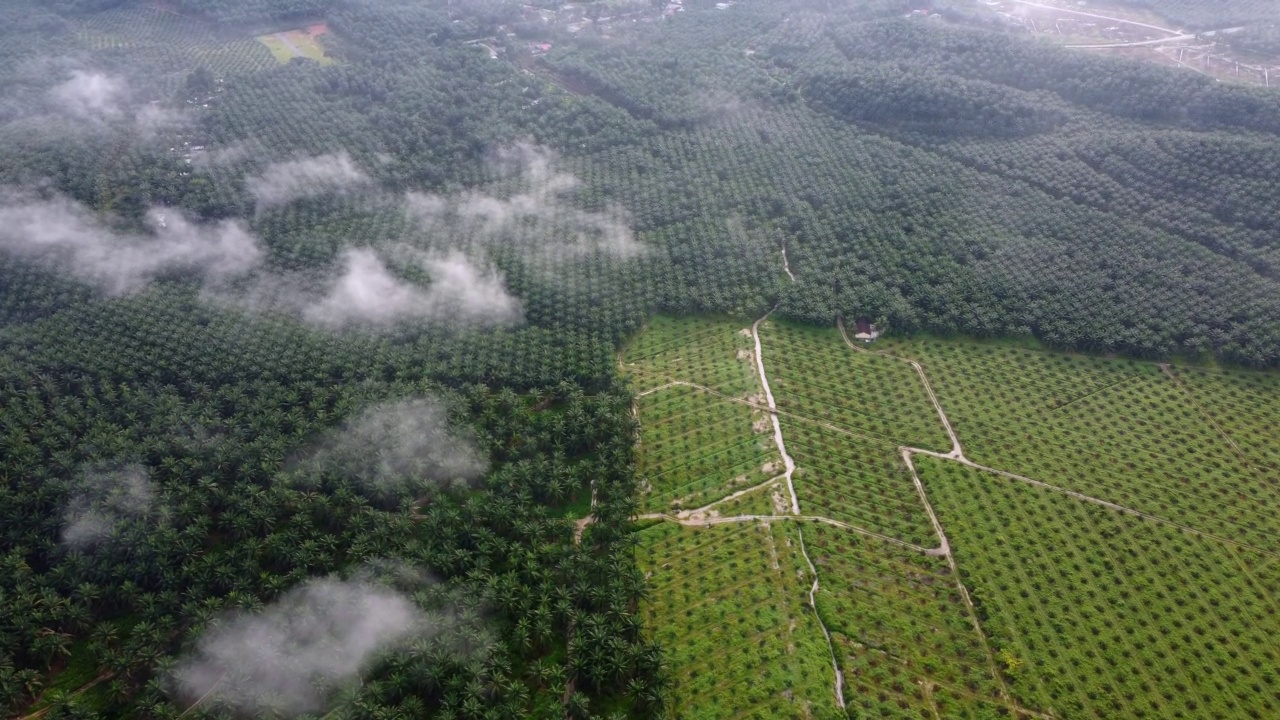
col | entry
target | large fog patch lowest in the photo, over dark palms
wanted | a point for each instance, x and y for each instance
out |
(314, 639)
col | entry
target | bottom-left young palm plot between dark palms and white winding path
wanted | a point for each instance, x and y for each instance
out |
(729, 604)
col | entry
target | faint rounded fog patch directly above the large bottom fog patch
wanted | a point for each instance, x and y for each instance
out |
(401, 445)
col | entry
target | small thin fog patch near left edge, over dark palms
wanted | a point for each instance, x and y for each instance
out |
(107, 499)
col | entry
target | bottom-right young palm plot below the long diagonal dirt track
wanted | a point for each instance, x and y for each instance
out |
(1100, 614)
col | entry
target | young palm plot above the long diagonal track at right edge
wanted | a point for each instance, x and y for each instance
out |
(1123, 431)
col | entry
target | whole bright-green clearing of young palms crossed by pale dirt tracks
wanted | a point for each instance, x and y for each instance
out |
(993, 530)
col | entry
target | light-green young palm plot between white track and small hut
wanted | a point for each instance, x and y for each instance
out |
(815, 375)
